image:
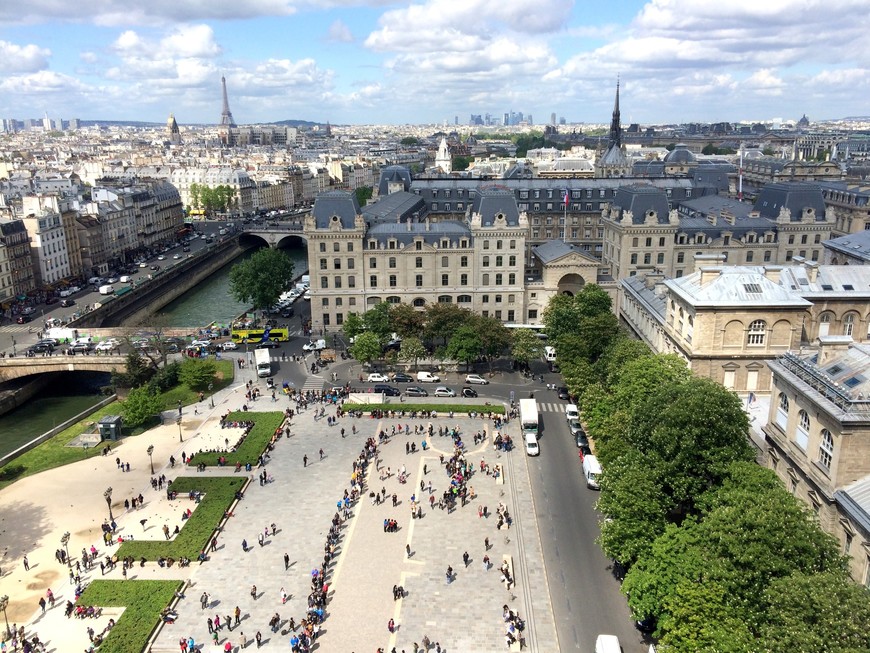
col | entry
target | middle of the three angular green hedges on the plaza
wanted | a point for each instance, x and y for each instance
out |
(196, 533)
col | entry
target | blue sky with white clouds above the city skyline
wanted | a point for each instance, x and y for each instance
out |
(431, 61)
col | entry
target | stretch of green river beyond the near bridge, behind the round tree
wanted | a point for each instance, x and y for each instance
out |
(211, 301)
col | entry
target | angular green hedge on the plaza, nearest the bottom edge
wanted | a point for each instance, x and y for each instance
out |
(142, 601)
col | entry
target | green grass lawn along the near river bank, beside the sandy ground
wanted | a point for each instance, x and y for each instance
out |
(54, 452)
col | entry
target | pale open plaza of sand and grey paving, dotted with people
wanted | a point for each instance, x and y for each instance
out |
(464, 616)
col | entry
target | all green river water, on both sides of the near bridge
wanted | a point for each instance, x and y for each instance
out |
(209, 301)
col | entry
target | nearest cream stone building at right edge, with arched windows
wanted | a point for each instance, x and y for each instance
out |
(818, 439)
